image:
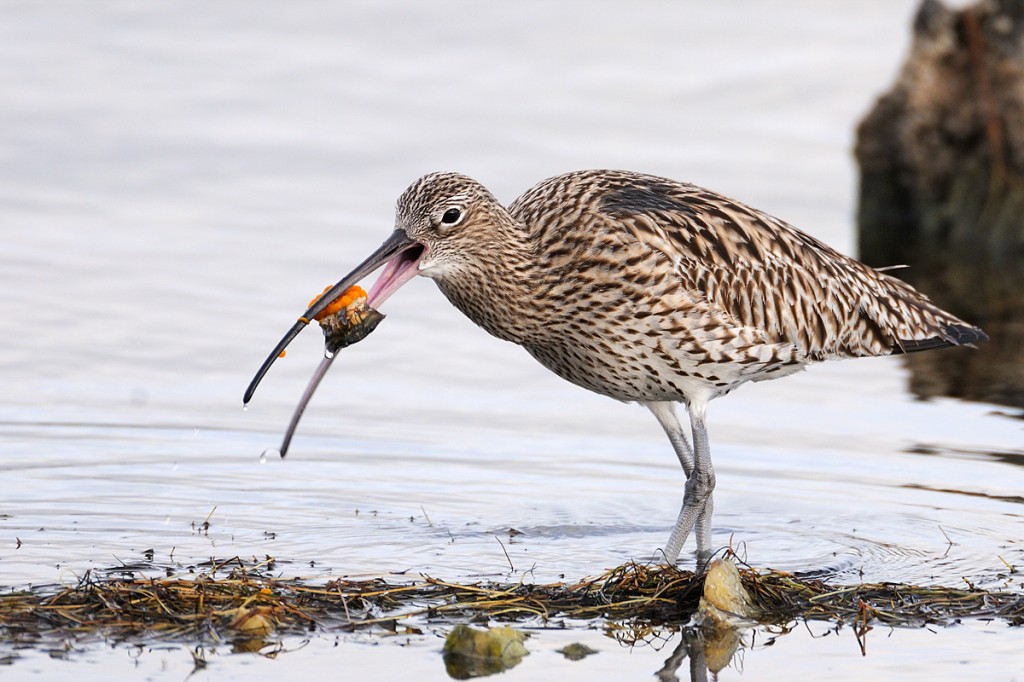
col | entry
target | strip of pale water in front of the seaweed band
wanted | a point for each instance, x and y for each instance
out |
(974, 651)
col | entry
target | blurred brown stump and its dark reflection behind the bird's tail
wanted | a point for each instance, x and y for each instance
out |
(943, 189)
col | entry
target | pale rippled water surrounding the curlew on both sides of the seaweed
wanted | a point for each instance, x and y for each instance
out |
(179, 181)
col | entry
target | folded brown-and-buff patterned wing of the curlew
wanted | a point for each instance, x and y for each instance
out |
(776, 280)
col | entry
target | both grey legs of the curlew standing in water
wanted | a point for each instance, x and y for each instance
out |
(698, 504)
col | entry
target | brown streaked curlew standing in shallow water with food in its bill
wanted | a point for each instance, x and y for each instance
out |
(648, 290)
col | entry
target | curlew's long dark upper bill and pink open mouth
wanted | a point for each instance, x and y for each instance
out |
(402, 255)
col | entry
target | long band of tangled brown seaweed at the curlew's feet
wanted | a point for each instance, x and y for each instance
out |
(239, 602)
